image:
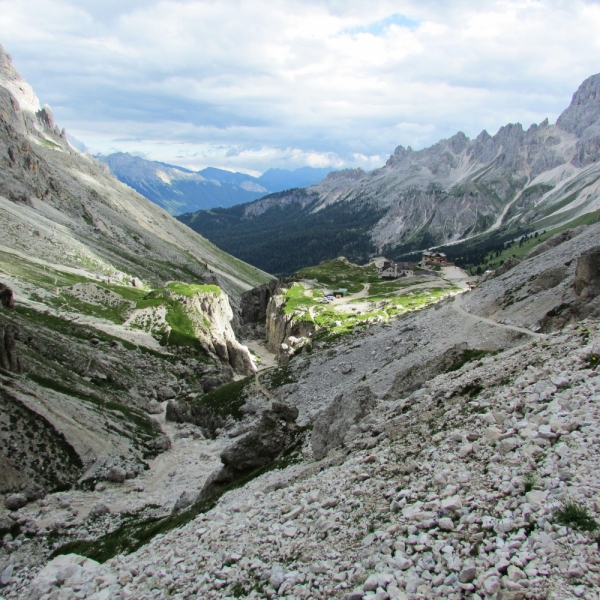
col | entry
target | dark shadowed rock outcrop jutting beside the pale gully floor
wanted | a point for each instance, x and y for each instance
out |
(273, 434)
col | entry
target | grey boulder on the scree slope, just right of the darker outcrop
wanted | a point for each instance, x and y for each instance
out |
(334, 426)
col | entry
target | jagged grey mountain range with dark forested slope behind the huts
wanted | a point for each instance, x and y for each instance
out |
(487, 190)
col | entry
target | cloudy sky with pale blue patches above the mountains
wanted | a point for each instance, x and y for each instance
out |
(248, 85)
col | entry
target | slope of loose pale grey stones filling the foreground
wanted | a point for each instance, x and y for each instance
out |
(430, 521)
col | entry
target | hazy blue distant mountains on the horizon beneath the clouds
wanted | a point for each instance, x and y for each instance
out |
(179, 190)
